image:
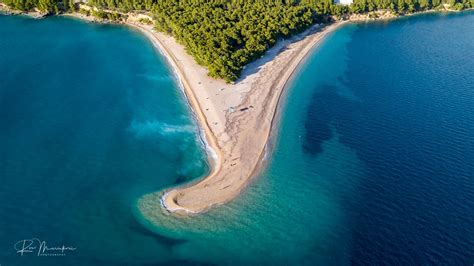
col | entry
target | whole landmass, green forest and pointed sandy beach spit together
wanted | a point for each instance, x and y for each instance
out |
(233, 60)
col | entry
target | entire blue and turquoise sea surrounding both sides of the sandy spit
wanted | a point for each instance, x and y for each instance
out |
(373, 160)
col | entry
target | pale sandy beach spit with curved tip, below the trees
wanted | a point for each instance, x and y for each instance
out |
(263, 86)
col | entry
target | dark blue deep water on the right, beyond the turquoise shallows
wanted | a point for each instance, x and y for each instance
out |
(412, 126)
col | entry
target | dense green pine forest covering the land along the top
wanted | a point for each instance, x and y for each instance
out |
(225, 35)
